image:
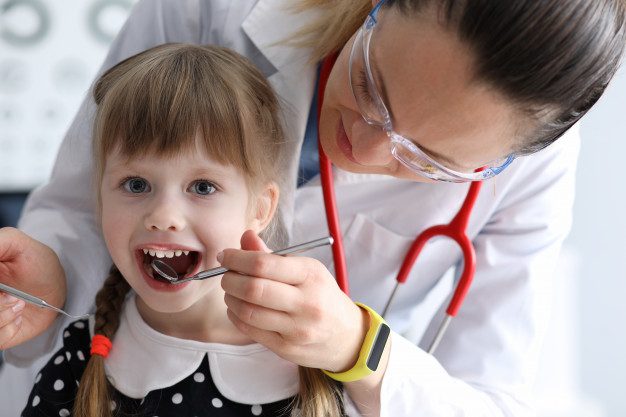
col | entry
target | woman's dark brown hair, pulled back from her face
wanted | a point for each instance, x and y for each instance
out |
(552, 58)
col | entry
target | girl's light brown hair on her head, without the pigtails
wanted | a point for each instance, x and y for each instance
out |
(158, 100)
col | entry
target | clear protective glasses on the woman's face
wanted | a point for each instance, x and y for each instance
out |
(375, 113)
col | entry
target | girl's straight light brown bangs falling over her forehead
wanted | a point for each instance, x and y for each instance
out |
(171, 106)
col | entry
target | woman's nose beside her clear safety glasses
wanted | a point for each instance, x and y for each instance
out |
(370, 144)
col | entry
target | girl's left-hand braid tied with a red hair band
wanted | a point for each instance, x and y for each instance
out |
(93, 398)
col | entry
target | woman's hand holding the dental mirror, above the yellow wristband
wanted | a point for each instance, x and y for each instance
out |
(293, 306)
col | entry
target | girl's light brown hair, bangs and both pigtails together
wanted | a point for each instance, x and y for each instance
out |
(156, 102)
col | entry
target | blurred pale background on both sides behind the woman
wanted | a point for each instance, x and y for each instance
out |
(51, 50)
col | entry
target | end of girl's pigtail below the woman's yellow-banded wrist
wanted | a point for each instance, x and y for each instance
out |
(319, 395)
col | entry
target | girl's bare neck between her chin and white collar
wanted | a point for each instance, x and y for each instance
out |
(205, 321)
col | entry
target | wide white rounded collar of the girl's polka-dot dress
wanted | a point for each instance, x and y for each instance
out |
(144, 360)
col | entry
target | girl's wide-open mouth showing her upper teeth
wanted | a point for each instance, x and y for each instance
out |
(184, 262)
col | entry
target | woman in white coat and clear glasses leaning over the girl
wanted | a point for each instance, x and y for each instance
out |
(449, 87)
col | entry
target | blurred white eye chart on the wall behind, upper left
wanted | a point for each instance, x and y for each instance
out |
(50, 51)
